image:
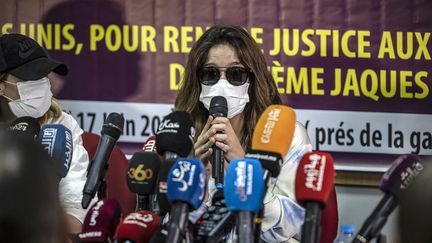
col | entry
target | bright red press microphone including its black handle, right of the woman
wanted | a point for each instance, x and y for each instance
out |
(313, 185)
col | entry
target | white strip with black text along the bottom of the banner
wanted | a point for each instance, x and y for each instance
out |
(337, 131)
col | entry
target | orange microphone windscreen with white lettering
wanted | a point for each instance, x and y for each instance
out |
(275, 129)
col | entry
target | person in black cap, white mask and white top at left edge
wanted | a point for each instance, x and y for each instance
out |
(25, 90)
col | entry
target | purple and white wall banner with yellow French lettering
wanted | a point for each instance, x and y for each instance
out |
(358, 75)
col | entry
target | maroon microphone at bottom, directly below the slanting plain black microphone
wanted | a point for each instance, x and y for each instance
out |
(101, 221)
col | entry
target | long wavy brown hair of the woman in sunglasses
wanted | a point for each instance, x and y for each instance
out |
(262, 89)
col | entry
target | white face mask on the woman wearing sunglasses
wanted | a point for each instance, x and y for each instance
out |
(237, 96)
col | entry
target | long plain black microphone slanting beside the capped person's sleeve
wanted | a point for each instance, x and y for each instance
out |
(111, 131)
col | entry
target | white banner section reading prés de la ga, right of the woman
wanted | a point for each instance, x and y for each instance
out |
(368, 132)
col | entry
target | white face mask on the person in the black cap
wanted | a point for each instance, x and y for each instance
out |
(35, 98)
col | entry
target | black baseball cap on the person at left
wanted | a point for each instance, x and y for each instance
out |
(24, 58)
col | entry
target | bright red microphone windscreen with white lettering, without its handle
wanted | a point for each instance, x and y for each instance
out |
(314, 178)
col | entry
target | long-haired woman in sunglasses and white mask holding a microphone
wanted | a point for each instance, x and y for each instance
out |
(226, 61)
